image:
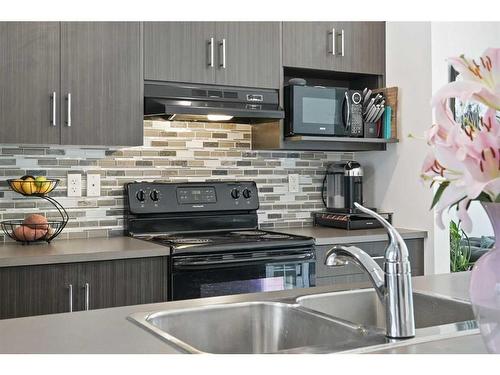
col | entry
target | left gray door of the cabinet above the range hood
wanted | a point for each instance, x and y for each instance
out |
(179, 51)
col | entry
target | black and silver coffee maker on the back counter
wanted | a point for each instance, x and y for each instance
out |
(342, 186)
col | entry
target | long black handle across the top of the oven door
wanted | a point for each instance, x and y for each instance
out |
(189, 263)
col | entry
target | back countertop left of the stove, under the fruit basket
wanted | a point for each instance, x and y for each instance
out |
(78, 250)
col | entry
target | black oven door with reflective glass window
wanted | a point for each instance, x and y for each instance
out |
(217, 275)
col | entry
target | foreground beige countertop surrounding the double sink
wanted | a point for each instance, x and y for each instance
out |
(109, 331)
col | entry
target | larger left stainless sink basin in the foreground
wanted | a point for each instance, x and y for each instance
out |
(256, 327)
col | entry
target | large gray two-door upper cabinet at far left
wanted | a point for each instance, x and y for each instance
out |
(71, 83)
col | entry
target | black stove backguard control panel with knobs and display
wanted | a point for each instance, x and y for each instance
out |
(158, 197)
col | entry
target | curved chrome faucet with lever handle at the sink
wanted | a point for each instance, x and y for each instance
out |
(392, 284)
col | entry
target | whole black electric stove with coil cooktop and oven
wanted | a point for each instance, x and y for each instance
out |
(216, 245)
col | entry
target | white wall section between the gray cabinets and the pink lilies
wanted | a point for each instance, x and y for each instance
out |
(392, 177)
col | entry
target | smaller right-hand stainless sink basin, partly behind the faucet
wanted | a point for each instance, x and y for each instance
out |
(363, 307)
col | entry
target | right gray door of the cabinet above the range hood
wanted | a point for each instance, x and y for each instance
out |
(248, 54)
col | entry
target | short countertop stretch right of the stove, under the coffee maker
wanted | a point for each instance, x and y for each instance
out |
(330, 236)
